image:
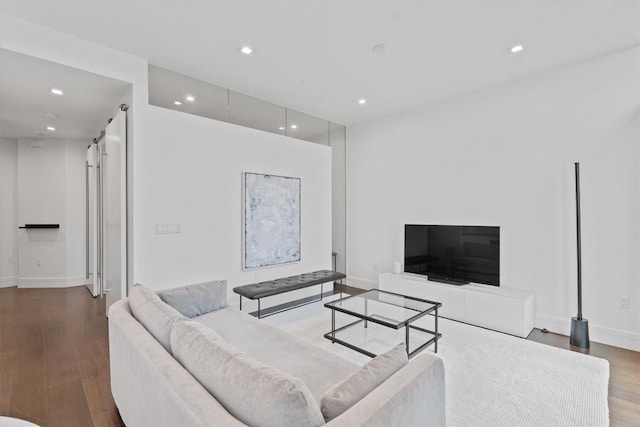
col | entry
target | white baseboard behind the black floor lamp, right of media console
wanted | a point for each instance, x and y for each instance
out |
(600, 334)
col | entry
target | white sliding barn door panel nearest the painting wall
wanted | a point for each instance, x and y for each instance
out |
(113, 166)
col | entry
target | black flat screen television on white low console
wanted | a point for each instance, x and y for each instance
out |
(456, 254)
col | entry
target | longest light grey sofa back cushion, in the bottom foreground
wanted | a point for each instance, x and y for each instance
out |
(255, 393)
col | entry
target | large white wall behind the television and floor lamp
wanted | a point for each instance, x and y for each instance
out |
(504, 156)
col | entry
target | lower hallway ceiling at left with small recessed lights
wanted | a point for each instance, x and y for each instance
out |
(25, 96)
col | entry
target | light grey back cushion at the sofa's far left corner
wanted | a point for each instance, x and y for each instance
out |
(156, 316)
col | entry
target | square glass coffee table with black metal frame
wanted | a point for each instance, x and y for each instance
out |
(388, 309)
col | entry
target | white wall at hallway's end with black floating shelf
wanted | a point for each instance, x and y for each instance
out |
(50, 189)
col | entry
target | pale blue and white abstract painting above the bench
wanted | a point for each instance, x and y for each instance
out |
(271, 220)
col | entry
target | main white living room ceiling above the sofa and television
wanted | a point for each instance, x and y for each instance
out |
(436, 48)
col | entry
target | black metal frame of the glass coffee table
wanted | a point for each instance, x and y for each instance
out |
(385, 321)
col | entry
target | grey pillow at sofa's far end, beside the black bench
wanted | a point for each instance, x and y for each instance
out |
(197, 299)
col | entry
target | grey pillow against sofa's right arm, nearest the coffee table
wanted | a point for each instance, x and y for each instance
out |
(352, 389)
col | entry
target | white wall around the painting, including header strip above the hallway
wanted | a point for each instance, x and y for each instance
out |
(187, 169)
